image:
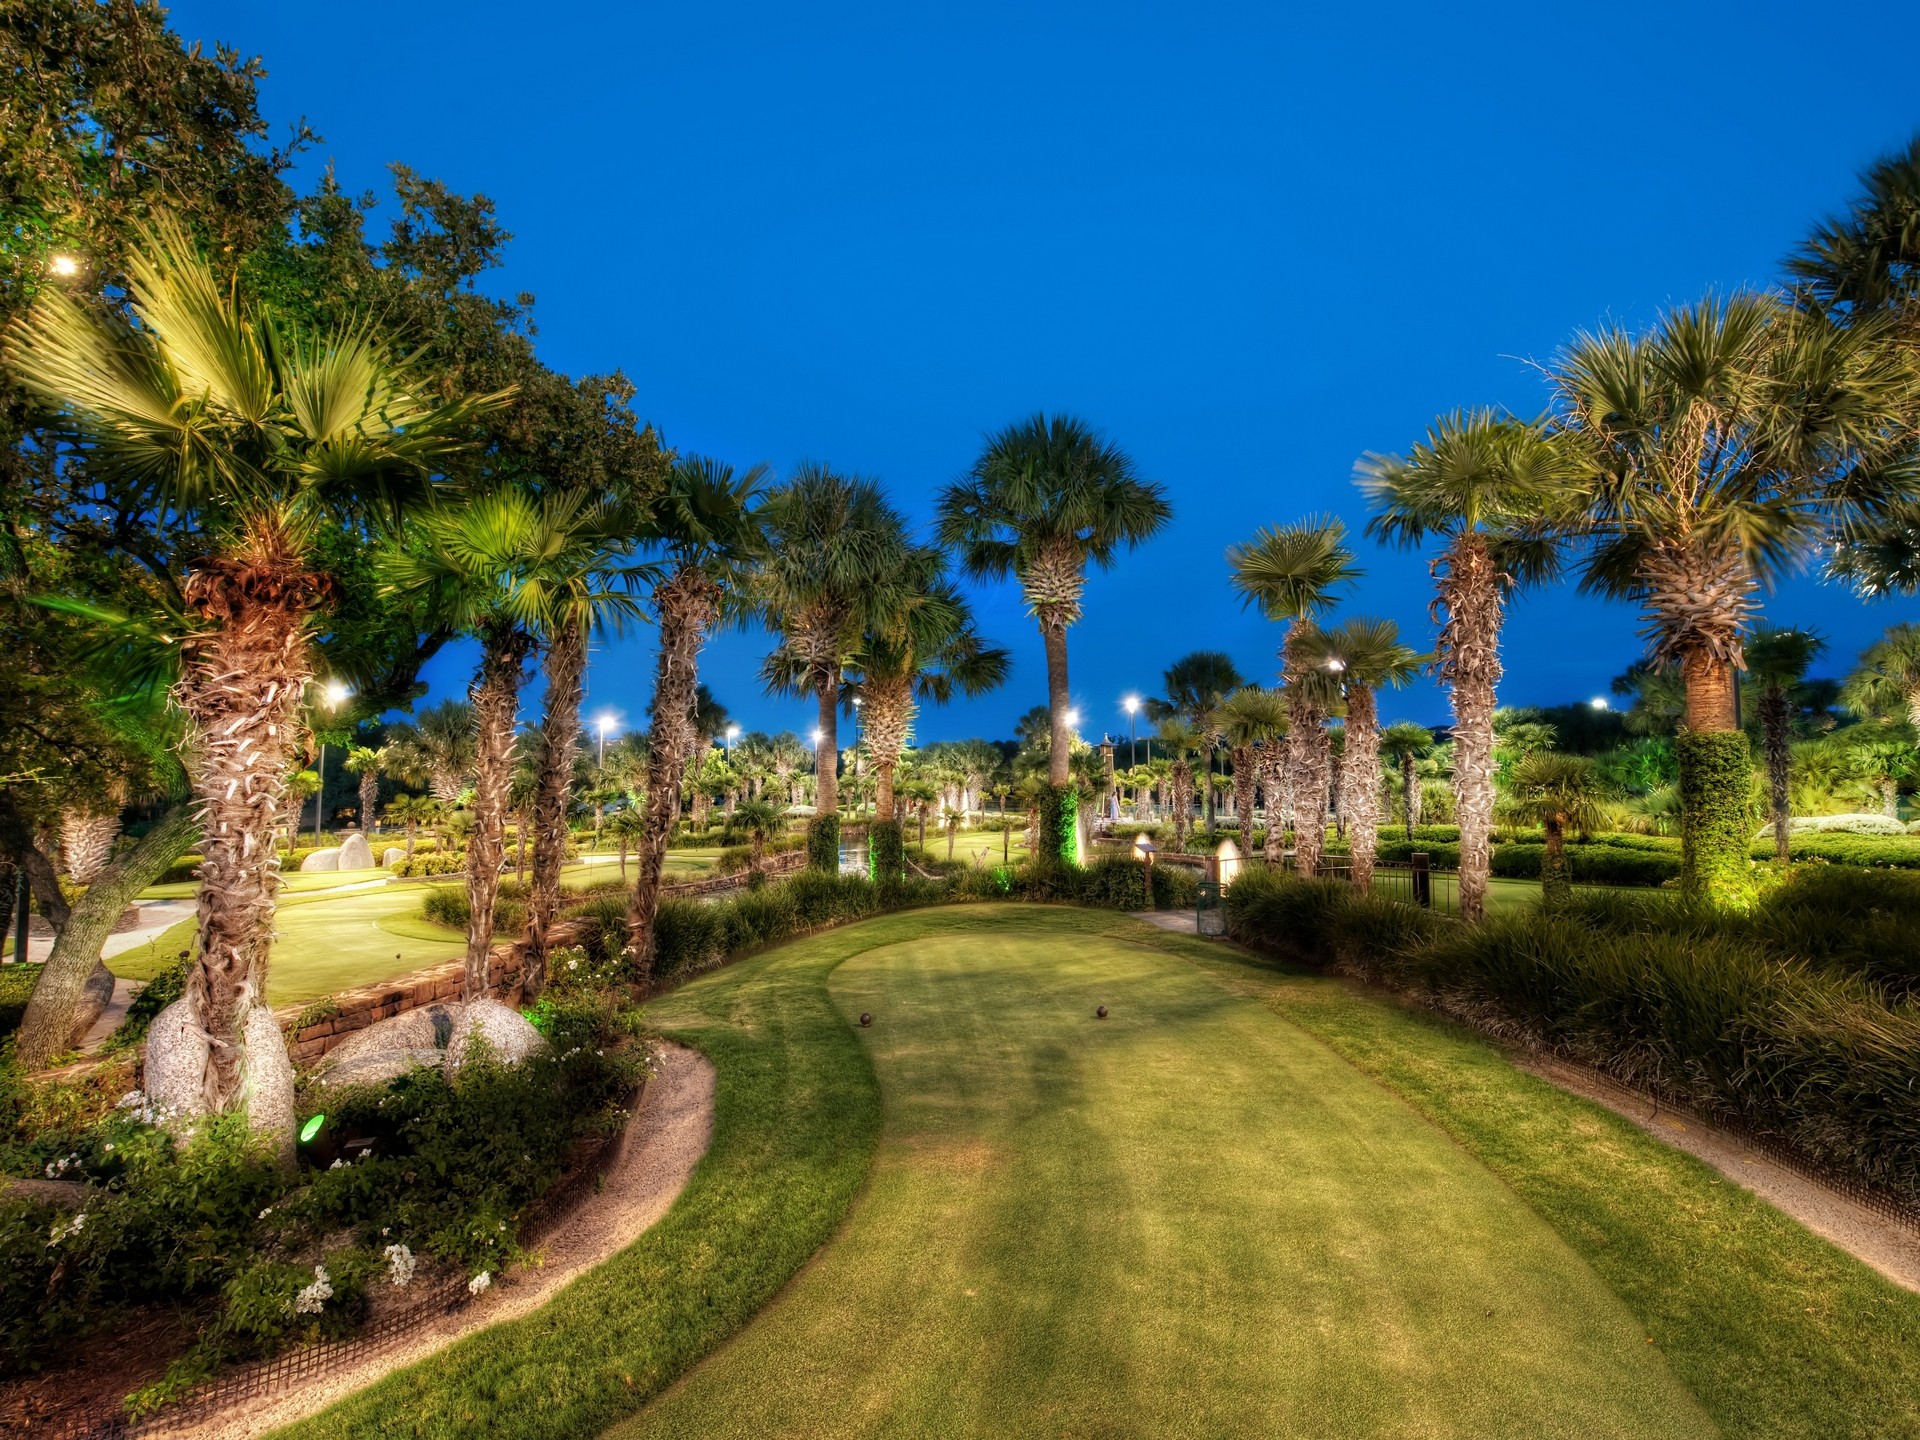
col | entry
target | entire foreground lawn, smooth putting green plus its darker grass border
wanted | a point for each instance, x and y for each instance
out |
(1249, 1203)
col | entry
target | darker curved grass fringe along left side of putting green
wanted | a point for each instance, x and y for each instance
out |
(796, 1120)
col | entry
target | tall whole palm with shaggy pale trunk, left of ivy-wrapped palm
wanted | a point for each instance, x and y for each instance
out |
(1483, 485)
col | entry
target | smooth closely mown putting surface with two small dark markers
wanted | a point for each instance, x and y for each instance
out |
(1189, 1218)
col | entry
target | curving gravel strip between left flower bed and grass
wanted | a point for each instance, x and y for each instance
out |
(658, 1155)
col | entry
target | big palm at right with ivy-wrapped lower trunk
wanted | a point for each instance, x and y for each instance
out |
(1727, 446)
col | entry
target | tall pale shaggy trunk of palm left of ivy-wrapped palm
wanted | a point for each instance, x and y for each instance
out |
(1470, 648)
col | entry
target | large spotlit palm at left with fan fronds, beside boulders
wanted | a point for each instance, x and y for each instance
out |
(216, 412)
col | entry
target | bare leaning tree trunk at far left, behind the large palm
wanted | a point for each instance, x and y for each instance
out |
(55, 1011)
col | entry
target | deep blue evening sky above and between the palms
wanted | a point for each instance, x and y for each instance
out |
(1251, 245)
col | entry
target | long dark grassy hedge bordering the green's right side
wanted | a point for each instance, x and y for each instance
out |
(1727, 1013)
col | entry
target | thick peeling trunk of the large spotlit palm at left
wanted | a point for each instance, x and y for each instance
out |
(239, 690)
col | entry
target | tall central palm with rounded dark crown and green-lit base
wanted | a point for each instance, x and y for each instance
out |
(1047, 498)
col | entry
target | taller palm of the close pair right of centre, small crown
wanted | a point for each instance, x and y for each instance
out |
(1295, 573)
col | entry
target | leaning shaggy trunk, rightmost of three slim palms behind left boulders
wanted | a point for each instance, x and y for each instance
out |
(684, 608)
